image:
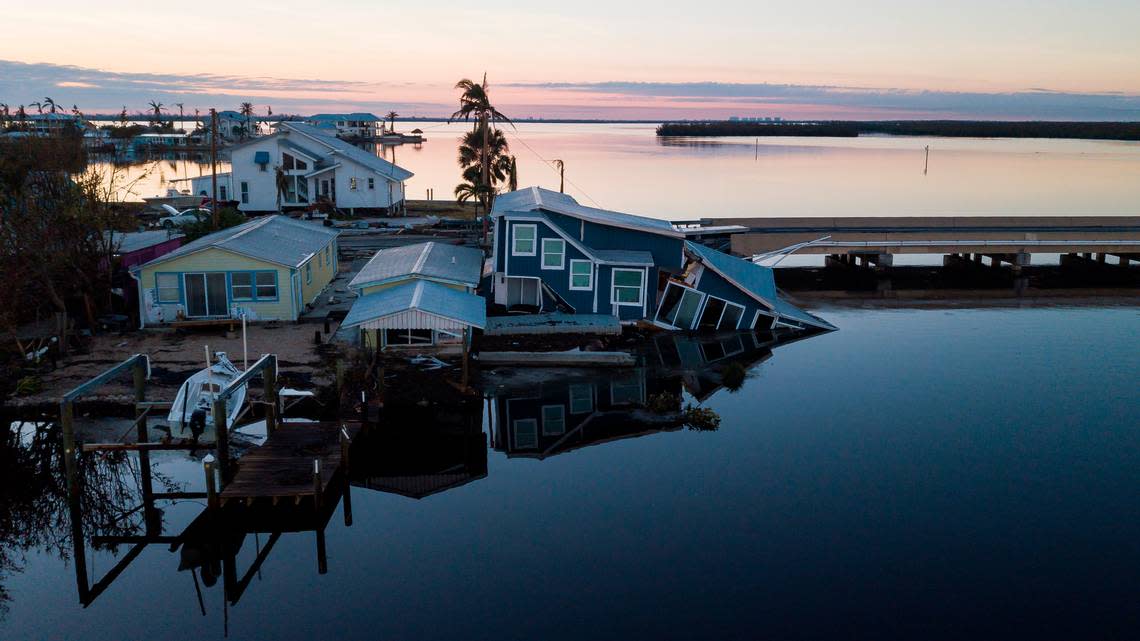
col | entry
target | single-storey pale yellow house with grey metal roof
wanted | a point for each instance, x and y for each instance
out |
(268, 270)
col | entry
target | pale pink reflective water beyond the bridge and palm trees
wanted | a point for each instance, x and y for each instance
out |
(628, 168)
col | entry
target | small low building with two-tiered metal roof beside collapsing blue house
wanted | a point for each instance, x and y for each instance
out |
(419, 296)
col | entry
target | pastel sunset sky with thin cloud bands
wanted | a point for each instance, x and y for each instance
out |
(592, 59)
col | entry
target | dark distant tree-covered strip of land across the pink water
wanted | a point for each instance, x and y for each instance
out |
(940, 128)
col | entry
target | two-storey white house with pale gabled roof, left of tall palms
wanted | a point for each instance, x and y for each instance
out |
(317, 168)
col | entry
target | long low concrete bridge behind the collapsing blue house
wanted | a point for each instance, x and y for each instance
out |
(874, 241)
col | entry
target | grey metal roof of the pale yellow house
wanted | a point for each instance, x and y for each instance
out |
(273, 239)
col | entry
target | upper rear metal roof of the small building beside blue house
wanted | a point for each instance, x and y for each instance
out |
(430, 261)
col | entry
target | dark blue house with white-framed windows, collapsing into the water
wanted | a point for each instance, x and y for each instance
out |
(552, 254)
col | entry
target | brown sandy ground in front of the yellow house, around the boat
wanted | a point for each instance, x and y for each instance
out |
(175, 355)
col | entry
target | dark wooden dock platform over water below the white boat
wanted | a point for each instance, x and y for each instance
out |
(298, 461)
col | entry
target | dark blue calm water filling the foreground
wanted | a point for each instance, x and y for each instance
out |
(918, 474)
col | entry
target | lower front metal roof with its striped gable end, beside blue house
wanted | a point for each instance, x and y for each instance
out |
(433, 299)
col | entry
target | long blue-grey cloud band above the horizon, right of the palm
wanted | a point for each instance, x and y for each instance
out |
(885, 102)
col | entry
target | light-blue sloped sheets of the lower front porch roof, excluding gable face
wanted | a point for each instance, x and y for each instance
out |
(422, 296)
